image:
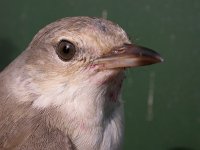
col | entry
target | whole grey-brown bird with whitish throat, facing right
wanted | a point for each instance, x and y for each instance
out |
(63, 92)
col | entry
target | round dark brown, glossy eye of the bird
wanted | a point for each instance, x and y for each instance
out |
(65, 50)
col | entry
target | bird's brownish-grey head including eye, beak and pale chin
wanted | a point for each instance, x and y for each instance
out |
(76, 57)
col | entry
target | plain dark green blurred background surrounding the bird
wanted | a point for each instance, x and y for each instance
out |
(162, 101)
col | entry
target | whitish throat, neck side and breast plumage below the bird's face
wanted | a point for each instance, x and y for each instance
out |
(88, 112)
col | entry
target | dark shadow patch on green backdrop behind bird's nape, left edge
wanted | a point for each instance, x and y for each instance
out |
(7, 52)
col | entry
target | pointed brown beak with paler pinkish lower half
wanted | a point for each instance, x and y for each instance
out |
(129, 56)
